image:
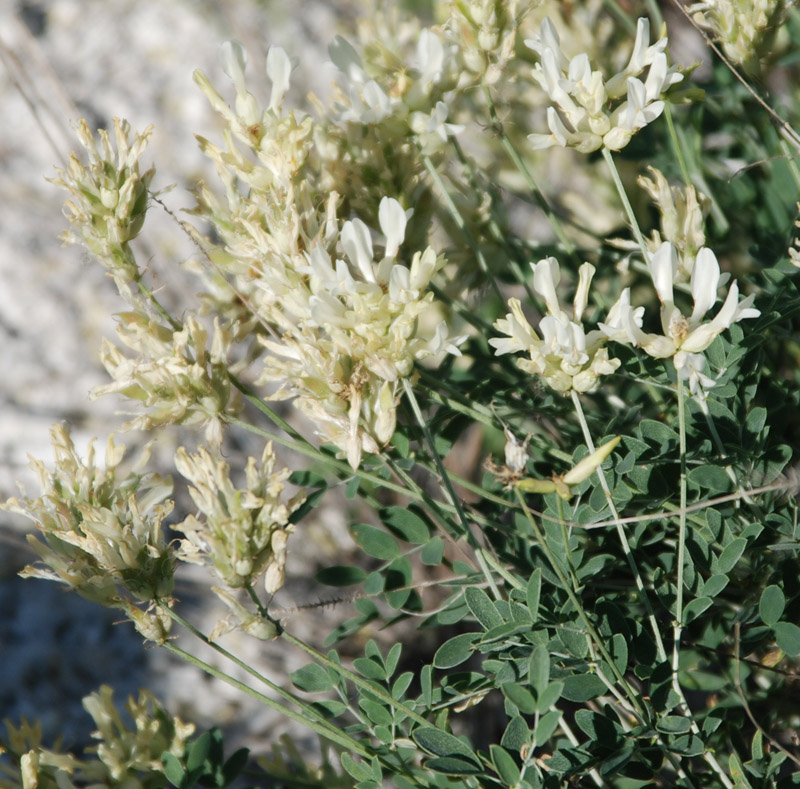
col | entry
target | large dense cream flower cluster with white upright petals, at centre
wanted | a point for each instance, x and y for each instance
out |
(354, 331)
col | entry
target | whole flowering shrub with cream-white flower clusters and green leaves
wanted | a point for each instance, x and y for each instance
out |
(611, 583)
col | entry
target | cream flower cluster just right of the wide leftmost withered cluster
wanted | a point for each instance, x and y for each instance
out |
(242, 532)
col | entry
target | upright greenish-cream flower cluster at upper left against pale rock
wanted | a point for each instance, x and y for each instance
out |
(109, 197)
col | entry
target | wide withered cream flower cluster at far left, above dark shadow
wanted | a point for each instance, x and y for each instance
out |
(103, 536)
